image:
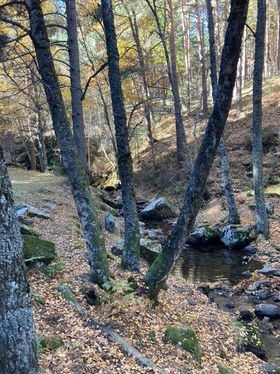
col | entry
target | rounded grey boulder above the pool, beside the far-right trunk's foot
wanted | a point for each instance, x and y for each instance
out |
(235, 236)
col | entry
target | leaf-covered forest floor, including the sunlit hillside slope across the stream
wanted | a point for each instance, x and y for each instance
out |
(85, 349)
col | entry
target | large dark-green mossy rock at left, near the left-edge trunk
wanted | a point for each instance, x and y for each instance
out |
(36, 249)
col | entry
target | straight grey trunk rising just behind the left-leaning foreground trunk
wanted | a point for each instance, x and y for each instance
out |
(75, 78)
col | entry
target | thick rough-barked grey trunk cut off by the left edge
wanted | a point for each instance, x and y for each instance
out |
(18, 348)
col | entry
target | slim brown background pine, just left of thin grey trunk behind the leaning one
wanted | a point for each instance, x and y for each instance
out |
(201, 49)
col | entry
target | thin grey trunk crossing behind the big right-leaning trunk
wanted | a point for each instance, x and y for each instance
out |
(233, 216)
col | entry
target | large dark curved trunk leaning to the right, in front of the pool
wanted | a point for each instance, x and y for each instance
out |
(164, 263)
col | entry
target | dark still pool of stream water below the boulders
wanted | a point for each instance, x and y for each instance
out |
(215, 264)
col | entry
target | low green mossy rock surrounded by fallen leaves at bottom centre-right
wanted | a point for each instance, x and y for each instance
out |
(186, 338)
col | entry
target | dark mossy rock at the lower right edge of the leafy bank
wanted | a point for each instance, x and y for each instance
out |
(249, 339)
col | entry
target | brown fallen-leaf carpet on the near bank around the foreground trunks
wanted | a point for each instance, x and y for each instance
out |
(85, 349)
